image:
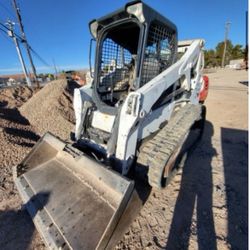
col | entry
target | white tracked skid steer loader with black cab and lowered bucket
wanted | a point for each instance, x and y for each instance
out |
(137, 113)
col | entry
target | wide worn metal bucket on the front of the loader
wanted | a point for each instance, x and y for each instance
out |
(75, 202)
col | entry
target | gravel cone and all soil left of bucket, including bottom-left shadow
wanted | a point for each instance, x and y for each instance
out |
(48, 109)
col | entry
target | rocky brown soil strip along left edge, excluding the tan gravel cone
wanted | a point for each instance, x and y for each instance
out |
(17, 137)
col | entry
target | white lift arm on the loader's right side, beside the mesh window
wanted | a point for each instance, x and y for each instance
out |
(144, 99)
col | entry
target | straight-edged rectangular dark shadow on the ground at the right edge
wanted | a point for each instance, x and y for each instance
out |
(235, 160)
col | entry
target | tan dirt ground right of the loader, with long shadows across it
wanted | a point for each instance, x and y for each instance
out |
(205, 207)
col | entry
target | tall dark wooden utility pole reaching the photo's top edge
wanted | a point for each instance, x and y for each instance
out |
(17, 10)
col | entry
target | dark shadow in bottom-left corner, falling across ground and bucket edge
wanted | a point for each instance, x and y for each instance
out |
(20, 234)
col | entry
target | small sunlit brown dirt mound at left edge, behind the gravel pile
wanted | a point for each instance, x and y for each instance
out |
(15, 97)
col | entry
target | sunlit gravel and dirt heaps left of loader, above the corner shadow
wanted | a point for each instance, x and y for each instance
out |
(49, 109)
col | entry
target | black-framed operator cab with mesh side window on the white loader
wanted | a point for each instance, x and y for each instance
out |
(133, 47)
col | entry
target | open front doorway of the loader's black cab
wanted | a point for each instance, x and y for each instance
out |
(116, 67)
